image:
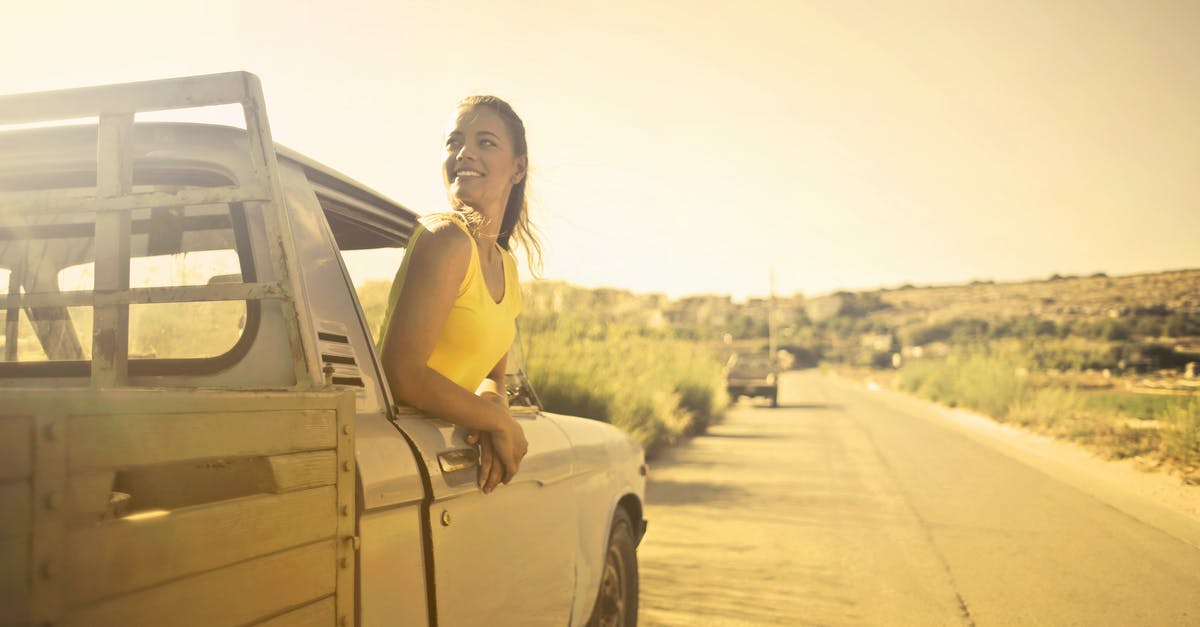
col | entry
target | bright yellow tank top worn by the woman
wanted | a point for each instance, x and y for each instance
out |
(479, 331)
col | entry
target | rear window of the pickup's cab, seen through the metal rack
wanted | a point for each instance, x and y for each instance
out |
(169, 248)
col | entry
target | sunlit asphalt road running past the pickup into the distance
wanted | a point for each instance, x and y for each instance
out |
(850, 507)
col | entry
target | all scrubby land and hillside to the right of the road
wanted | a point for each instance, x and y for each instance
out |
(1108, 363)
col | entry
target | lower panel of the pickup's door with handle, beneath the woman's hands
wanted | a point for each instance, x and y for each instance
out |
(505, 558)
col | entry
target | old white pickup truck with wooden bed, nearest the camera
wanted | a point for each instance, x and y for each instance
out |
(194, 423)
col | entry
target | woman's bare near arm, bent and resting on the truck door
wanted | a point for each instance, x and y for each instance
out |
(436, 270)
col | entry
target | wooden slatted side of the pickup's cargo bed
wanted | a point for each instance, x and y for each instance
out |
(172, 509)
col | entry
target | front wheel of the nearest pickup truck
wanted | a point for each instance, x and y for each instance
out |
(617, 601)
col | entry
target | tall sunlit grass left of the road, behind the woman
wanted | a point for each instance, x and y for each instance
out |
(584, 361)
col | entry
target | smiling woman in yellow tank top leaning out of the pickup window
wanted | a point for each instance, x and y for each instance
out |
(453, 308)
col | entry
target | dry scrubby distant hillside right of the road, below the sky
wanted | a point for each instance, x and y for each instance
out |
(1142, 323)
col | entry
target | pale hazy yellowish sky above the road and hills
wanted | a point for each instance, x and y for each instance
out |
(692, 147)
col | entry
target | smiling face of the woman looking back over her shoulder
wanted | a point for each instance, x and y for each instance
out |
(481, 166)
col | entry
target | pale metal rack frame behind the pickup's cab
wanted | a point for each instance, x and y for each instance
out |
(115, 202)
